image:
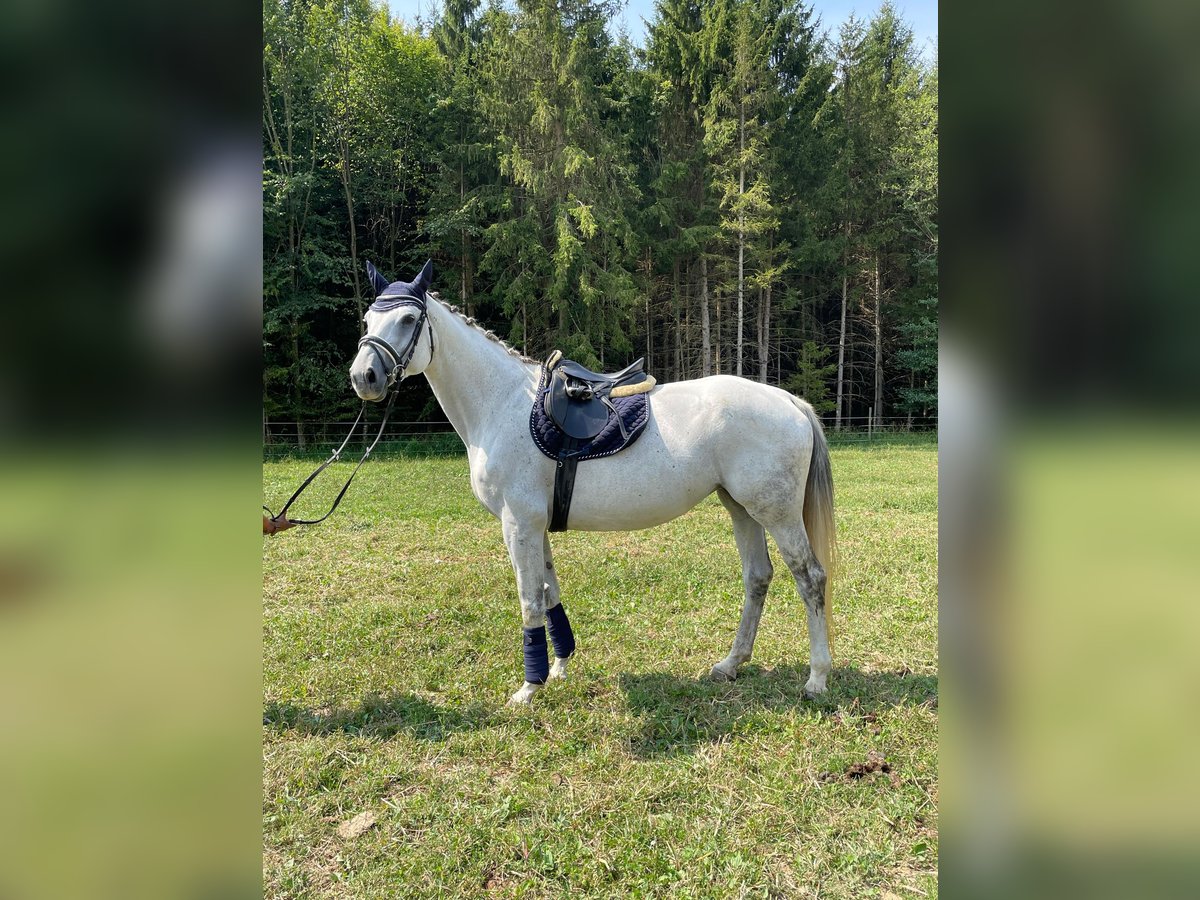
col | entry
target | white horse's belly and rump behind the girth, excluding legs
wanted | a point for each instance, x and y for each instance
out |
(705, 434)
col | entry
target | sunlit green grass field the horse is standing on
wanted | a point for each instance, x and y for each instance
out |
(392, 640)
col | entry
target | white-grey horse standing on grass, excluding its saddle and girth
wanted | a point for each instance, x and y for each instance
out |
(761, 449)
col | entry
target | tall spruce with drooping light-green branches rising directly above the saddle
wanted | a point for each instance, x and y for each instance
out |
(565, 244)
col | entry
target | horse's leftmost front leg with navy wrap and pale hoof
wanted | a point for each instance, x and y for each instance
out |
(525, 539)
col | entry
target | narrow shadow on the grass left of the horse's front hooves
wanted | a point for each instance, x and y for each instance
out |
(381, 718)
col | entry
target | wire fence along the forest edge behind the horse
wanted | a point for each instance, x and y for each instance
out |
(290, 440)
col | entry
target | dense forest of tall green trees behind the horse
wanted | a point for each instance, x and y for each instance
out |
(754, 193)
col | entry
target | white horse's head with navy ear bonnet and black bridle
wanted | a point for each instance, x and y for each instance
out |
(399, 341)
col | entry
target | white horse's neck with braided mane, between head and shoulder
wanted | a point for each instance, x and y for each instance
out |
(471, 375)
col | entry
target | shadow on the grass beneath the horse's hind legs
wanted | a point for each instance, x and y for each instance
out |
(682, 715)
